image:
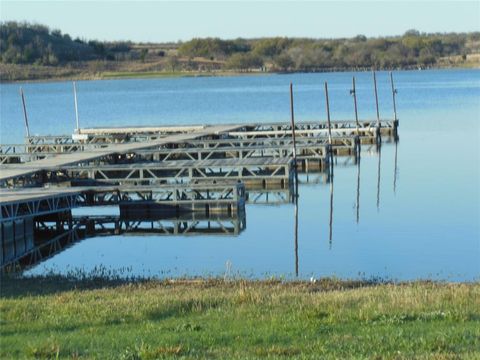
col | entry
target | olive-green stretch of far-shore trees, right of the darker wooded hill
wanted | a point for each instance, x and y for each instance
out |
(412, 49)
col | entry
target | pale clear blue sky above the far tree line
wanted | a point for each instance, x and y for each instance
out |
(162, 21)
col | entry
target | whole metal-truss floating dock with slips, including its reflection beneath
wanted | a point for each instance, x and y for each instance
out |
(187, 176)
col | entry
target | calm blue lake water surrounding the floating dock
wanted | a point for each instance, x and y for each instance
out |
(421, 221)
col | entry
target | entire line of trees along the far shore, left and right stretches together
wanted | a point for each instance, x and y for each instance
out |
(24, 43)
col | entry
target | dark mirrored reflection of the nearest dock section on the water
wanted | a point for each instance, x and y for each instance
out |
(52, 238)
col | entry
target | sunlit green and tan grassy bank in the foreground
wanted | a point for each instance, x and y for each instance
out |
(239, 319)
